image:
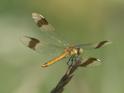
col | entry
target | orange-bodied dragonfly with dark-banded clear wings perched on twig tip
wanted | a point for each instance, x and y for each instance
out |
(48, 40)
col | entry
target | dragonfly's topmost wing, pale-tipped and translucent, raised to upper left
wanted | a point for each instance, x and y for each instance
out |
(48, 29)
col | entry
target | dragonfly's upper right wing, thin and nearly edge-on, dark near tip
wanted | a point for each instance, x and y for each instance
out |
(94, 45)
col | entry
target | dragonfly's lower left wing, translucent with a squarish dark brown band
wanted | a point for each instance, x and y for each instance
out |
(40, 46)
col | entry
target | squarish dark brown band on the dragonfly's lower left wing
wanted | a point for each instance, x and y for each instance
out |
(33, 42)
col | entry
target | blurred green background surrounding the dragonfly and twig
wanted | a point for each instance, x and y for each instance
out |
(78, 21)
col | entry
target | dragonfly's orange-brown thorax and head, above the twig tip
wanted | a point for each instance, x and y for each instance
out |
(74, 50)
